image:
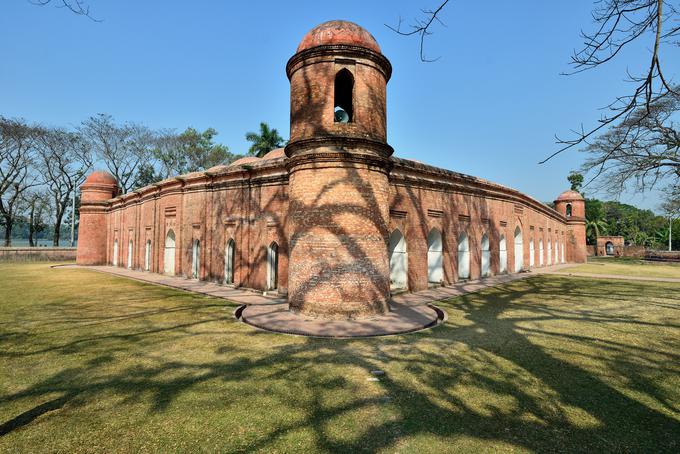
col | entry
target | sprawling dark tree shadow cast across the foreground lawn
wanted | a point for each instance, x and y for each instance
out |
(495, 373)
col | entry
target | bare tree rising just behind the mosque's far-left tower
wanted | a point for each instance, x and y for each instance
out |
(122, 148)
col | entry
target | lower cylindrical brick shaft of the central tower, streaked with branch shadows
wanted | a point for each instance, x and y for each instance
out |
(338, 235)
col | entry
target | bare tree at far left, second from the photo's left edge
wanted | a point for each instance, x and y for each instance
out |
(64, 160)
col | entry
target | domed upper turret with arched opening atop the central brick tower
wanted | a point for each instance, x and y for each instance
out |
(338, 79)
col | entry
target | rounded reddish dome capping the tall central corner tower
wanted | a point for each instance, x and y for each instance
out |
(338, 32)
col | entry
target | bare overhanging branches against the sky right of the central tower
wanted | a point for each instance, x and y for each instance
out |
(618, 23)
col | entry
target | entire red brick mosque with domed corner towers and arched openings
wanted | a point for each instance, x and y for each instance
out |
(334, 221)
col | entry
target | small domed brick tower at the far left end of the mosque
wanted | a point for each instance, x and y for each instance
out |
(98, 188)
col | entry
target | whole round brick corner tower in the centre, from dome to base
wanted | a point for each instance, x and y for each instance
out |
(338, 163)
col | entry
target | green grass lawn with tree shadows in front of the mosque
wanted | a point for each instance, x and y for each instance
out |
(91, 362)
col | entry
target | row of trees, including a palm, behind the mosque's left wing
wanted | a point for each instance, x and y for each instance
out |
(42, 167)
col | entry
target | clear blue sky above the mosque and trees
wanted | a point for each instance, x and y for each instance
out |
(489, 107)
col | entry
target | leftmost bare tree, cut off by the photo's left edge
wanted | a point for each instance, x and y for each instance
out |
(17, 141)
